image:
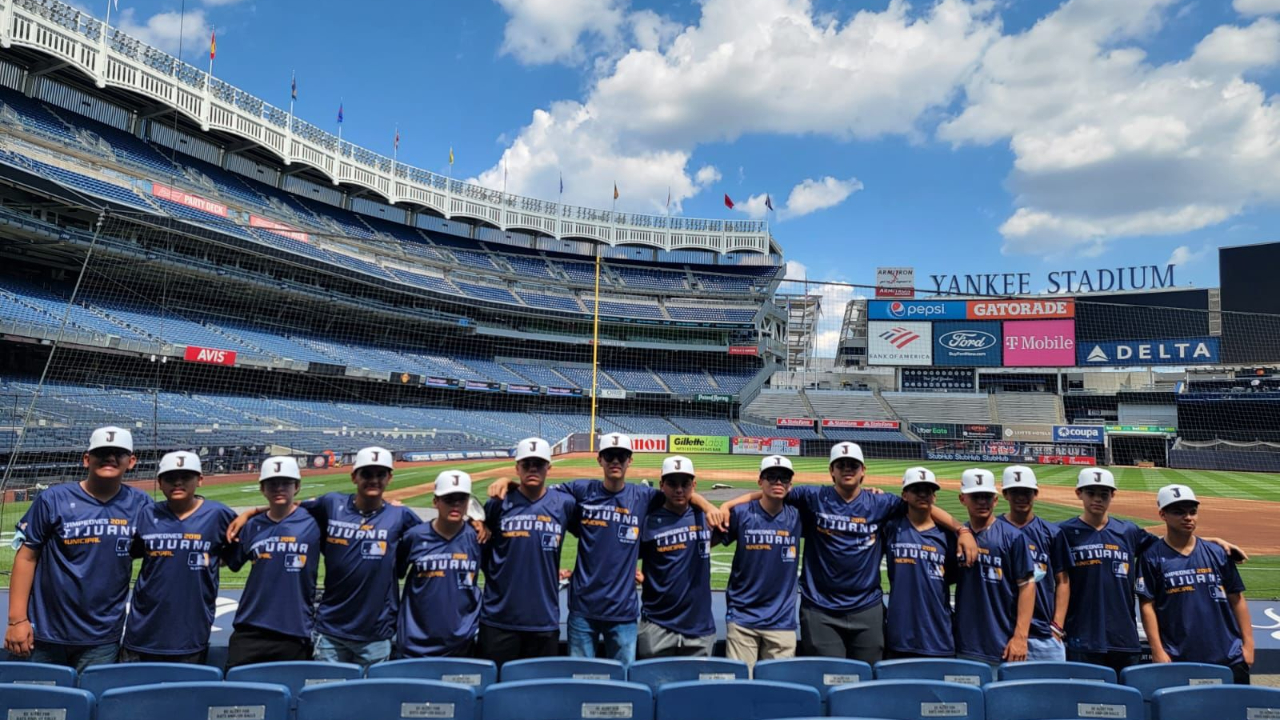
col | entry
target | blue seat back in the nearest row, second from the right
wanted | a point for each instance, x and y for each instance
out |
(1058, 700)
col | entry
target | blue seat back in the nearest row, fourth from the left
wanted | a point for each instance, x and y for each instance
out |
(568, 700)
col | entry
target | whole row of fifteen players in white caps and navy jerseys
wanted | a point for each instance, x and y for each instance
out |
(1025, 589)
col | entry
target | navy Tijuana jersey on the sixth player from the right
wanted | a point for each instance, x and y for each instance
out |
(842, 557)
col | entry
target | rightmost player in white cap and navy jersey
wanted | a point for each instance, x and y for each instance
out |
(1192, 596)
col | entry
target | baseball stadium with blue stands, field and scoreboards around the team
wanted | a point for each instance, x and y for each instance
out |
(218, 276)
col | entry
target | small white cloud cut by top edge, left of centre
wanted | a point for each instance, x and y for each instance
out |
(564, 31)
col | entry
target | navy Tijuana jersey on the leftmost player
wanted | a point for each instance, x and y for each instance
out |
(85, 566)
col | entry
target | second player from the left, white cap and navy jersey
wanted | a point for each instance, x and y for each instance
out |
(181, 543)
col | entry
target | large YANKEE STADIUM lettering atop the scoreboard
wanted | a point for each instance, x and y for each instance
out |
(1103, 280)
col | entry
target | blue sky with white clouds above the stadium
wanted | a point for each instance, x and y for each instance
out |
(954, 136)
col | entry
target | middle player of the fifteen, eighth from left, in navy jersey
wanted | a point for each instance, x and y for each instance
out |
(676, 552)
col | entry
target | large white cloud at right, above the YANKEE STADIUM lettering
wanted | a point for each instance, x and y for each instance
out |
(1109, 145)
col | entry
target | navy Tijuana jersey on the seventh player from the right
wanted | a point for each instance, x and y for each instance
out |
(762, 585)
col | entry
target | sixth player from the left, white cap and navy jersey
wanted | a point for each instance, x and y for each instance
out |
(520, 616)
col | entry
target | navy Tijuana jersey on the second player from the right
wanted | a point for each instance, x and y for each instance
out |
(1101, 614)
